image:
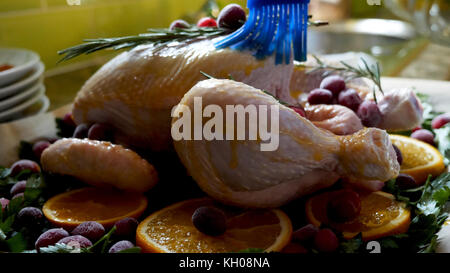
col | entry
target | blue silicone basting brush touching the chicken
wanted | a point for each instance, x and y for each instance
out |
(273, 27)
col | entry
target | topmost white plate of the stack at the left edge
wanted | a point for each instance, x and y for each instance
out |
(23, 61)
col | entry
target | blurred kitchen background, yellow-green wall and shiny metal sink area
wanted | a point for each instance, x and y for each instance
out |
(409, 37)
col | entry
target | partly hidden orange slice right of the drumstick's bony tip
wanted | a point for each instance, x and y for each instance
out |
(420, 159)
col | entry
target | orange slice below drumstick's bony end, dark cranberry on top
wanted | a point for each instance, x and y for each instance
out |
(381, 215)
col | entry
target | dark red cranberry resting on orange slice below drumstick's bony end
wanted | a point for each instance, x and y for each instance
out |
(344, 206)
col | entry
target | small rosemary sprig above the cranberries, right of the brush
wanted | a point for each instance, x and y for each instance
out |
(372, 72)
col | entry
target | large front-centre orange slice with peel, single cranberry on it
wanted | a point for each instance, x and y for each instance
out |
(170, 230)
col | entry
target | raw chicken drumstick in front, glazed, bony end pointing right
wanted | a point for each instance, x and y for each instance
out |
(237, 172)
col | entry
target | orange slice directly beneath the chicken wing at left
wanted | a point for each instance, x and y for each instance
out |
(105, 206)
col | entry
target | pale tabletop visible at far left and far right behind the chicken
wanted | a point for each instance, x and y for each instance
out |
(44, 125)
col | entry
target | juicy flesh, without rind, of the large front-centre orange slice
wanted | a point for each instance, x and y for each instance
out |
(173, 229)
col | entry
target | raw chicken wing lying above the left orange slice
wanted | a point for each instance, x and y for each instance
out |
(100, 164)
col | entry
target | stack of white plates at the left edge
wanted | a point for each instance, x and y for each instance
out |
(22, 92)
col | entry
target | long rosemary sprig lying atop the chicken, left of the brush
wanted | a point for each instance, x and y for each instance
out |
(158, 37)
